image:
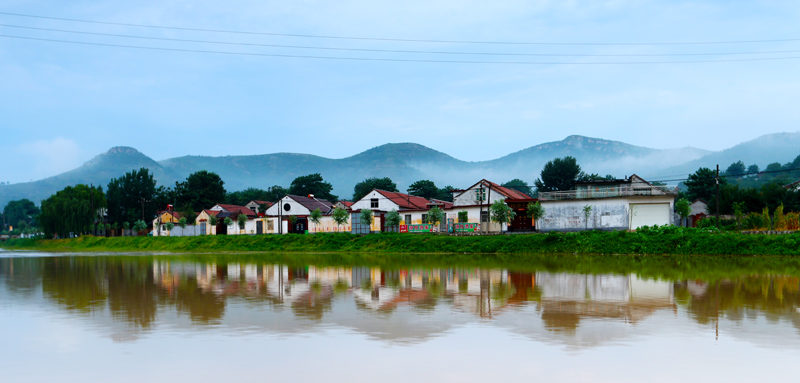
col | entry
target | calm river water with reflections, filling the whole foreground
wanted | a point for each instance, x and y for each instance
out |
(117, 318)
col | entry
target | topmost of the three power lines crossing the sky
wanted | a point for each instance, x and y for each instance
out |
(399, 39)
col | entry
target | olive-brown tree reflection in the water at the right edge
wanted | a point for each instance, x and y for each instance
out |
(775, 296)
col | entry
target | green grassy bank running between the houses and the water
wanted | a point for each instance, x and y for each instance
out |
(650, 241)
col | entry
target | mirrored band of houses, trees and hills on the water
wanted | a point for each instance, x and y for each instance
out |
(130, 296)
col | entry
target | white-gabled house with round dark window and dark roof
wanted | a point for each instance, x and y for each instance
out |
(291, 214)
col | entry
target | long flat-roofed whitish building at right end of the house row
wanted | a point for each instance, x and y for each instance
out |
(621, 204)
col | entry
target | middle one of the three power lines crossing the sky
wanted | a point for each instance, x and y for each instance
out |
(392, 50)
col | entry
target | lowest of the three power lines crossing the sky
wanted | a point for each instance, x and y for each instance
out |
(399, 59)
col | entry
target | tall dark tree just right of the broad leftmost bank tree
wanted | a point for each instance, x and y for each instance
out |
(130, 193)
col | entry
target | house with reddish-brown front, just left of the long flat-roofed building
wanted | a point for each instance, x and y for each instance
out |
(476, 200)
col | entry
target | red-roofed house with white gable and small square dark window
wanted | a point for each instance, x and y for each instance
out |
(412, 209)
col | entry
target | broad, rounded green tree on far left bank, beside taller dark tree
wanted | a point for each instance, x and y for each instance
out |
(72, 210)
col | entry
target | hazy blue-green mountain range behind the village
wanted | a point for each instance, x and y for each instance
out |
(405, 163)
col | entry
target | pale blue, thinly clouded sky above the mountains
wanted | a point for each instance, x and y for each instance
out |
(598, 68)
